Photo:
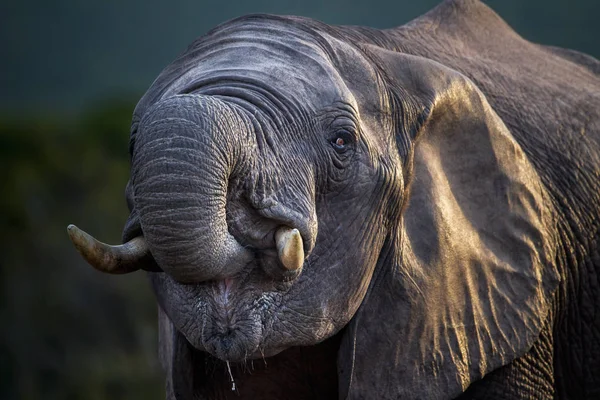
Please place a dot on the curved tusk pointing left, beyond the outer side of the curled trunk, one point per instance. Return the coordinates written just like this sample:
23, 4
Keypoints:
122, 259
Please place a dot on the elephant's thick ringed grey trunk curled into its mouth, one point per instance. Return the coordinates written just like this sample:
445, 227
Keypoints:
185, 152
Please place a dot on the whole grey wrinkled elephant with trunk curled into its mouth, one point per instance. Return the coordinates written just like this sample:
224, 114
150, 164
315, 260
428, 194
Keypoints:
348, 212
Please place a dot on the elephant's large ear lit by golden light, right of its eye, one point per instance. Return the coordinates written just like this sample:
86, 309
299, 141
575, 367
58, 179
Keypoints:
465, 282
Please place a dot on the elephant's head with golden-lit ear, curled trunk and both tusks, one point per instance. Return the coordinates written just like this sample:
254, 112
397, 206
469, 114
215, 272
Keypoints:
289, 184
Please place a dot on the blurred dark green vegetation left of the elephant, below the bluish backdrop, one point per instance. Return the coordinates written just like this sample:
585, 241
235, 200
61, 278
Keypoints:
68, 331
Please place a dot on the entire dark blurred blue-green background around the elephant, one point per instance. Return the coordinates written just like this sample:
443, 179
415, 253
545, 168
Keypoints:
71, 72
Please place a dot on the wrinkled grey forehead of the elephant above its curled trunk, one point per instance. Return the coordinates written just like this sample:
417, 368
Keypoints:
271, 56
